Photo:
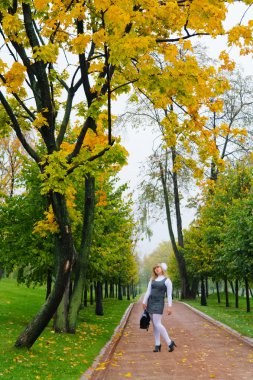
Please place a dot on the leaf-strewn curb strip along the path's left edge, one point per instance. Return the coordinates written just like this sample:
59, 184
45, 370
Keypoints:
110, 346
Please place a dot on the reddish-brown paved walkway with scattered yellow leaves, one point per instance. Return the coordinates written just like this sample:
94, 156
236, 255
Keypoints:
204, 351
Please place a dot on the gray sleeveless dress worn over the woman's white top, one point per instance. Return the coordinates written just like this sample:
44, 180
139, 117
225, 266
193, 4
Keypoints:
156, 298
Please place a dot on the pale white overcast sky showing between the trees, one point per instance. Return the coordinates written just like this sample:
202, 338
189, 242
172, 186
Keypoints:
139, 143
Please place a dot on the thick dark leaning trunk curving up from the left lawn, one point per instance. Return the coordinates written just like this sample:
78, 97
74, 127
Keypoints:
64, 260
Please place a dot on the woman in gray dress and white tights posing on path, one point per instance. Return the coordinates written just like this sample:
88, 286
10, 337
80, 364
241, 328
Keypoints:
153, 301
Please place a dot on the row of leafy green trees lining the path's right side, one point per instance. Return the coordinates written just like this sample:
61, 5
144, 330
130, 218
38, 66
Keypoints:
219, 243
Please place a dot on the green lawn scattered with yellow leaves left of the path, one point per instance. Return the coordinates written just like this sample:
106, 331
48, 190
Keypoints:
53, 356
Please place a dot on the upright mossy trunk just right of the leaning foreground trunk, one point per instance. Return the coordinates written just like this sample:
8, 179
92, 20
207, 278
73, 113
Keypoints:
82, 259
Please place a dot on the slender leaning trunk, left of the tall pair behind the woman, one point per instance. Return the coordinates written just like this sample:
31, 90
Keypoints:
185, 289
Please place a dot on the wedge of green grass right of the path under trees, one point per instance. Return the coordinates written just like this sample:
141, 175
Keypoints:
237, 319
